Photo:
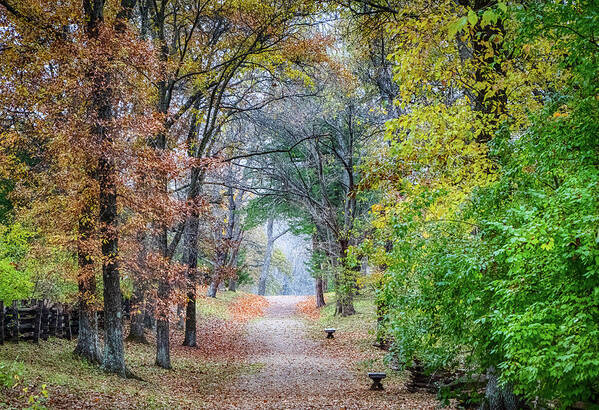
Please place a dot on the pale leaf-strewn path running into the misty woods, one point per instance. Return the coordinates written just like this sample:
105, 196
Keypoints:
296, 372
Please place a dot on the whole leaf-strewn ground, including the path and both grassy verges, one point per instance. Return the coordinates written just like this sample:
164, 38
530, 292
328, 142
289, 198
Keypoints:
250, 356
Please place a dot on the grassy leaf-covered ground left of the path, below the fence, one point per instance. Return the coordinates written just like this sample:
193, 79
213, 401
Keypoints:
197, 374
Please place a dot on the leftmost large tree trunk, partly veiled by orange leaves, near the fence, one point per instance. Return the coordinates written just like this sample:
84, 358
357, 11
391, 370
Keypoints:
87, 344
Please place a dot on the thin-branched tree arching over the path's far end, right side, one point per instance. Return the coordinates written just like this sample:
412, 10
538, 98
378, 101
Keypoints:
319, 172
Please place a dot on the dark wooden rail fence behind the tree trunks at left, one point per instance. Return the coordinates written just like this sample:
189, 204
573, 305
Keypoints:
32, 320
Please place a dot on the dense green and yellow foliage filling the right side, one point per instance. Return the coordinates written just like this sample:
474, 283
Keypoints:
495, 256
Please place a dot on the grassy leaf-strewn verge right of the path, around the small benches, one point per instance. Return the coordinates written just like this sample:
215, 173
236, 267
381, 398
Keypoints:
354, 337
